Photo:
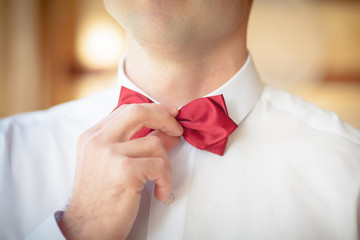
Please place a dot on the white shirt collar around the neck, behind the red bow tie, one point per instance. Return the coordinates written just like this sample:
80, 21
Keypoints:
241, 92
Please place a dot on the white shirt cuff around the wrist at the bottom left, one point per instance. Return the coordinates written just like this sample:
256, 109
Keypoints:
49, 229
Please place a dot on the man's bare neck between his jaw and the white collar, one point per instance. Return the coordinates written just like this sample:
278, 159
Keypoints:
176, 79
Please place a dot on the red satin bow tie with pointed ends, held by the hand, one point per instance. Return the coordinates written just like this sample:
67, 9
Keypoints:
205, 121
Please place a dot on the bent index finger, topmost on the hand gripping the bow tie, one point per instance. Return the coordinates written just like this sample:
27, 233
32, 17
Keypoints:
132, 118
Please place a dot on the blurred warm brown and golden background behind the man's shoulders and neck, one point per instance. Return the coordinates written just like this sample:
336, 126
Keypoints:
53, 51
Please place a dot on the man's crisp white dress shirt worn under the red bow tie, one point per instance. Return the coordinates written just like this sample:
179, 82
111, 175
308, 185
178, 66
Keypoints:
290, 170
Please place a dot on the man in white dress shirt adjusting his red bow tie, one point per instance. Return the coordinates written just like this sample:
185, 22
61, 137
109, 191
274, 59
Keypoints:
288, 170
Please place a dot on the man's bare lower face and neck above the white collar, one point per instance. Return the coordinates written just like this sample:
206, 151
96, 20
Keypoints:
182, 50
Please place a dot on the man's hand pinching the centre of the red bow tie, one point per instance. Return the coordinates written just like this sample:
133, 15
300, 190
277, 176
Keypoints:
112, 169
